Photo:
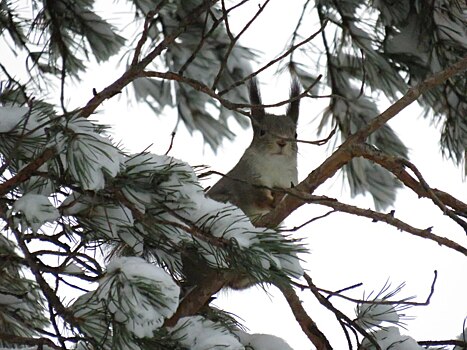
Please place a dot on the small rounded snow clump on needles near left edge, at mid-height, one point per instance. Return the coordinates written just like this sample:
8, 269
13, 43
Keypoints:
36, 209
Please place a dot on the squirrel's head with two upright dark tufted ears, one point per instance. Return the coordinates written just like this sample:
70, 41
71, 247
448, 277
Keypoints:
274, 134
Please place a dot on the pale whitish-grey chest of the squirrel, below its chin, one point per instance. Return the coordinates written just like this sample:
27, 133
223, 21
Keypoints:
276, 171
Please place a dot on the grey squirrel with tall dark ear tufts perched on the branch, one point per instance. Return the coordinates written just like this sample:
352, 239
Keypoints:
270, 160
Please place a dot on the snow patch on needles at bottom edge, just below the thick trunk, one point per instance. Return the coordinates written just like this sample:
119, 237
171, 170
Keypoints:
198, 333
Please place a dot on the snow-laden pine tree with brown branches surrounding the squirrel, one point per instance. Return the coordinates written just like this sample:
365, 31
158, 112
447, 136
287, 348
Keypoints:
117, 231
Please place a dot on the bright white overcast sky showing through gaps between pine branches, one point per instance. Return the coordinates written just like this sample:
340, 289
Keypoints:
343, 250
